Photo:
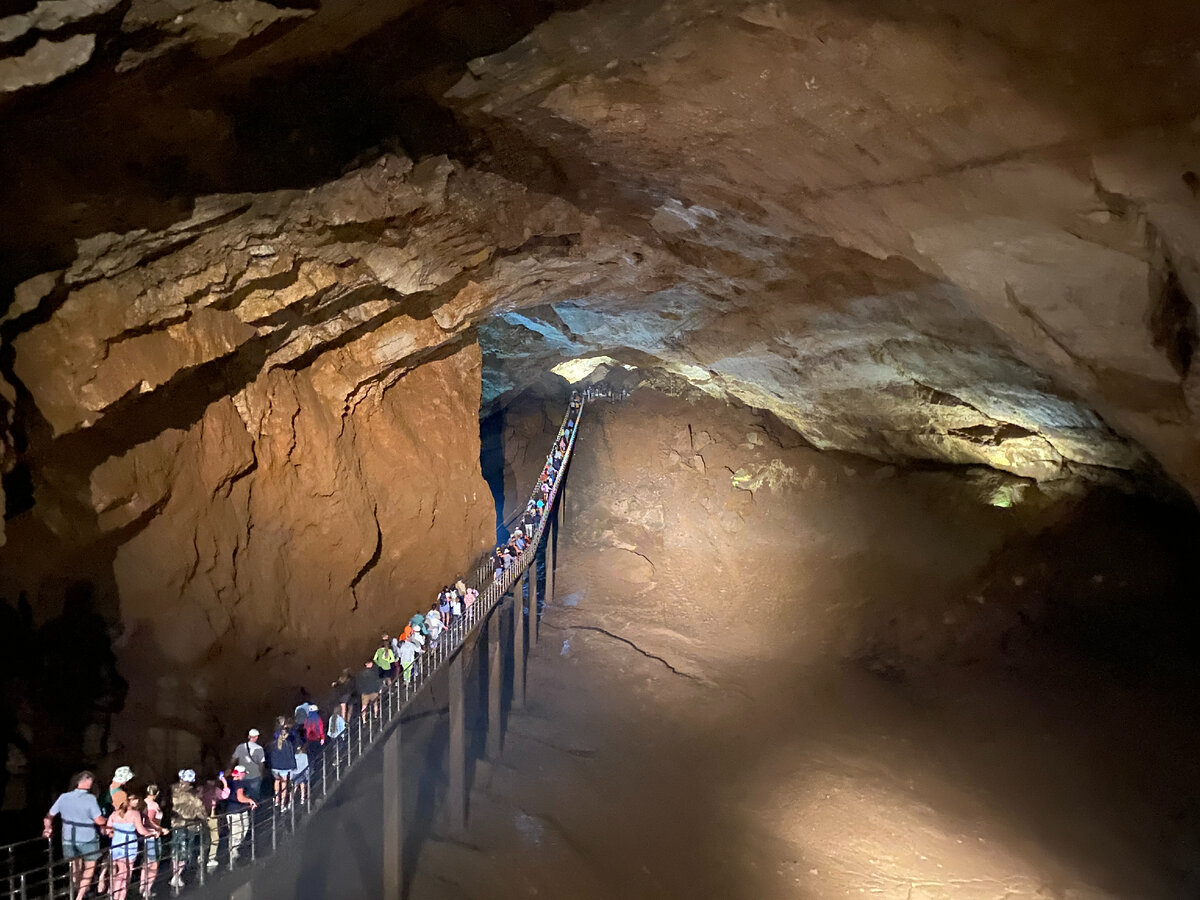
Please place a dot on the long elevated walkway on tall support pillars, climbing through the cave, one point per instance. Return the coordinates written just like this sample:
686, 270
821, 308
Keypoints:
37, 871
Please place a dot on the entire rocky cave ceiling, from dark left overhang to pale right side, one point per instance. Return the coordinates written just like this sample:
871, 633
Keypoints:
952, 231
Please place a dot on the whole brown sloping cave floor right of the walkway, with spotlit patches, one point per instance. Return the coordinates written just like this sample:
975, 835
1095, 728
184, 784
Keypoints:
839, 689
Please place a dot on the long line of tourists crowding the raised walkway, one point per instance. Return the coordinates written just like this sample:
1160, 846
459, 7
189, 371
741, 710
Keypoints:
278, 772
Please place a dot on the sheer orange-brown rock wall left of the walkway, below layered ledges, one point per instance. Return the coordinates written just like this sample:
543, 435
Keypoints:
267, 547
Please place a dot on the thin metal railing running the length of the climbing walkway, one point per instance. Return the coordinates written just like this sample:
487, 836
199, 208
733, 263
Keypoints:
191, 855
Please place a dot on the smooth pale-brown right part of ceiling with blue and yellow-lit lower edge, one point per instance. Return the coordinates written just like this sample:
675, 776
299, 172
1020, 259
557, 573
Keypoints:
946, 237
